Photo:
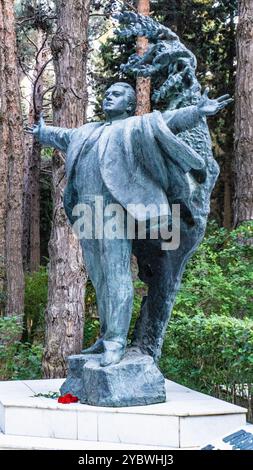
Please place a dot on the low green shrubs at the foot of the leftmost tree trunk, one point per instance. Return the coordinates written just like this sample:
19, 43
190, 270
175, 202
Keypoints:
17, 360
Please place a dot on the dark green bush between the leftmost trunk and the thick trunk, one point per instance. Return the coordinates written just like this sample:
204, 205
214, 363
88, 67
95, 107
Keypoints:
35, 305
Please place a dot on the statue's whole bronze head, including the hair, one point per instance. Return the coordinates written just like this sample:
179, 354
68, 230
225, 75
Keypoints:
119, 100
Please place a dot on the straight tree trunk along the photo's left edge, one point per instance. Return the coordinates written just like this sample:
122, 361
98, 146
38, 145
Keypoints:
11, 167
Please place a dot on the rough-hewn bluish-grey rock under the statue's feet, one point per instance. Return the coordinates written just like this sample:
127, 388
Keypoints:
136, 380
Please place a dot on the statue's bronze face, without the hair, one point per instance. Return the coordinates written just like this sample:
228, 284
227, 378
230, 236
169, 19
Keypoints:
116, 101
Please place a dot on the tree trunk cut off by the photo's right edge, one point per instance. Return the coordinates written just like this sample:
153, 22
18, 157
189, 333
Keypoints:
244, 115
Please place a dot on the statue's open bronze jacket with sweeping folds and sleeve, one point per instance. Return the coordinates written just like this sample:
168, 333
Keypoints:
151, 163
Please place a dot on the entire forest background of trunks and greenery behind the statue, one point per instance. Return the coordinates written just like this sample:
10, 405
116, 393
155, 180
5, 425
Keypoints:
58, 57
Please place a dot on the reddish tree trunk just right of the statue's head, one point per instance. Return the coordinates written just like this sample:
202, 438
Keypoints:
143, 85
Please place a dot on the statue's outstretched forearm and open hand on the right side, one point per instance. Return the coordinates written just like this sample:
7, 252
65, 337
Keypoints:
187, 118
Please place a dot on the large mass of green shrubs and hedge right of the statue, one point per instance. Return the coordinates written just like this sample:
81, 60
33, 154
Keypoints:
209, 342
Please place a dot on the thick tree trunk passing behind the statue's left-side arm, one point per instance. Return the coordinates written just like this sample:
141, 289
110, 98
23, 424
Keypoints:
67, 277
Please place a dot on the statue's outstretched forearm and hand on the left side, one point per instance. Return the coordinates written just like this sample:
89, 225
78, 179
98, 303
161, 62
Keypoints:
51, 136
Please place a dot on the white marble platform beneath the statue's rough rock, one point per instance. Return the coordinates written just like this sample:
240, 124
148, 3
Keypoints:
188, 419
